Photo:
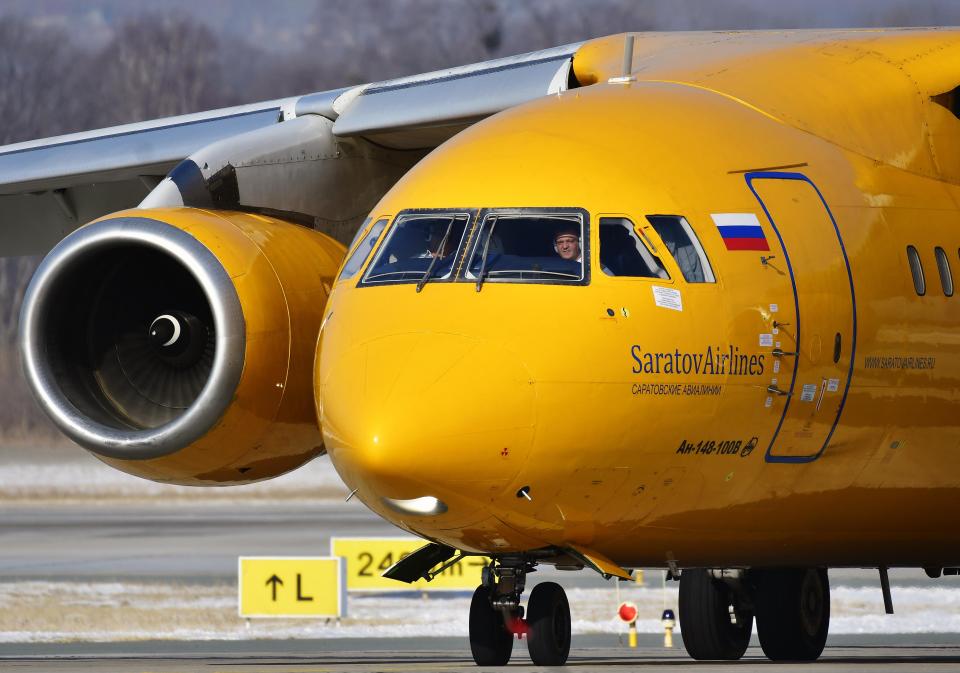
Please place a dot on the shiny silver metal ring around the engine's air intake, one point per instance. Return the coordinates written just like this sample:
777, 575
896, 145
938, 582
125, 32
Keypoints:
68, 257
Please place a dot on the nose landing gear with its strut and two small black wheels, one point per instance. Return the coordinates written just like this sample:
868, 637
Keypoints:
496, 616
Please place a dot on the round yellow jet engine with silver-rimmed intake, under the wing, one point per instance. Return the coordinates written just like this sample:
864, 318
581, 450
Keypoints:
178, 344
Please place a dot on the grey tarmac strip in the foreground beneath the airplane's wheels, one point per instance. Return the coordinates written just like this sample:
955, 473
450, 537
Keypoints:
592, 654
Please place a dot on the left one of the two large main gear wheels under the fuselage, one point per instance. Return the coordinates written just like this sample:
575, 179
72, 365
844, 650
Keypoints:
713, 624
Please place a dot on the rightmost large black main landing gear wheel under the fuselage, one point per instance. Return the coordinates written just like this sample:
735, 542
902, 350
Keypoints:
793, 612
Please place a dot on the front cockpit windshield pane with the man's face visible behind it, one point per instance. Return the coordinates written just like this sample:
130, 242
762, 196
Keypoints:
535, 247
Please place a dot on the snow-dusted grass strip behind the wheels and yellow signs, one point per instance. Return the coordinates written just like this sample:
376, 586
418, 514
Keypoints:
38, 611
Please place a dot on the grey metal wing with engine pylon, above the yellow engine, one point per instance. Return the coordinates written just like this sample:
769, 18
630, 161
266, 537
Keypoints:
360, 139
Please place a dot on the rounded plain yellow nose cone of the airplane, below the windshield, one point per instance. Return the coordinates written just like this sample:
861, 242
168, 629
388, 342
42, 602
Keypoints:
427, 415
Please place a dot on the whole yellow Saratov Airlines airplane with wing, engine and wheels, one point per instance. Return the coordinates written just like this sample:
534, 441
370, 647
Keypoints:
681, 300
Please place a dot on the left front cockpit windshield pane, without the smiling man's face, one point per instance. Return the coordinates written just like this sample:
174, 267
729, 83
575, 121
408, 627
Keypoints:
416, 244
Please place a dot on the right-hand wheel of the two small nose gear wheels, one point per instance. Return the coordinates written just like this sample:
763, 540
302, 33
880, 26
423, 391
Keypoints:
548, 619
